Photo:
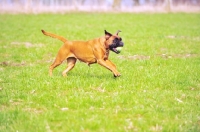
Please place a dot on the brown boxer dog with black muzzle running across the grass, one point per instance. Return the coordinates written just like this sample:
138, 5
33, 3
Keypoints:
91, 51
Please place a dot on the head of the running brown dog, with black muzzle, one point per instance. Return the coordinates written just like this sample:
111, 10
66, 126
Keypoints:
113, 41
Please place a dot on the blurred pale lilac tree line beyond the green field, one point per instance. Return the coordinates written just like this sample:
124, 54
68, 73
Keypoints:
108, 4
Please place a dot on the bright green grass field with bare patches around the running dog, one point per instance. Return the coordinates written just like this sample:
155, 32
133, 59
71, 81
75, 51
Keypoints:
159, 89
